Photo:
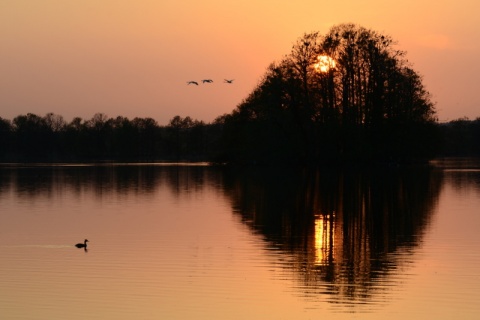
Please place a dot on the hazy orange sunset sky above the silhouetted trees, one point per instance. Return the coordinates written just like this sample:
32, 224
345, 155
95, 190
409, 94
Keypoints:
134, 57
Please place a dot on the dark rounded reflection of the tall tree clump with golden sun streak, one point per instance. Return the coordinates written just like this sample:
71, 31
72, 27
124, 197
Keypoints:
343, 232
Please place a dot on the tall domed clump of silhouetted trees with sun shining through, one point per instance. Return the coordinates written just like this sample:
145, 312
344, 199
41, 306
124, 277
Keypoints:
349, 95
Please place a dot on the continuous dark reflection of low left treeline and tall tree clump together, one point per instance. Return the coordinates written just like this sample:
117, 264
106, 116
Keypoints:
342, 234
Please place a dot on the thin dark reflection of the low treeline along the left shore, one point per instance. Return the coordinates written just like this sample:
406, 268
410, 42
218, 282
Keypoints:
139, 180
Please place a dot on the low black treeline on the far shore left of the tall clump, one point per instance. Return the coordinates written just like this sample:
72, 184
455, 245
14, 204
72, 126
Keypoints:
50, 138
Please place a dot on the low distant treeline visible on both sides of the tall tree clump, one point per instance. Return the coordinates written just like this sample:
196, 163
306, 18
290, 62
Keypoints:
50, 138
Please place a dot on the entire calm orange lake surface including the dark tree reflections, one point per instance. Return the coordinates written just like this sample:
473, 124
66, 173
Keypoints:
198, 242
